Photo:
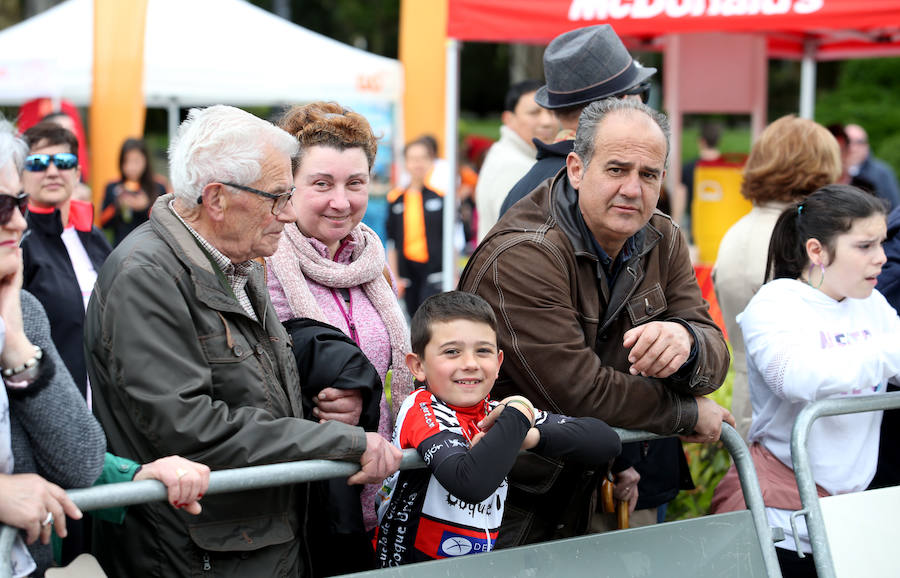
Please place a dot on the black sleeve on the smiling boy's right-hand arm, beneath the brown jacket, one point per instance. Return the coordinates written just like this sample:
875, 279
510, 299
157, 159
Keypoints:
582, 439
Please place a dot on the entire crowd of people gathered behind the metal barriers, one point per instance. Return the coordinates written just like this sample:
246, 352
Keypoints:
241, 313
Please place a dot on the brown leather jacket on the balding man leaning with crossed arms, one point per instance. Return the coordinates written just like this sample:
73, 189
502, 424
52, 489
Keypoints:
561, 326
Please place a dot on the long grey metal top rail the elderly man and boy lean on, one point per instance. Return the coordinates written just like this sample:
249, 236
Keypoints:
224, 481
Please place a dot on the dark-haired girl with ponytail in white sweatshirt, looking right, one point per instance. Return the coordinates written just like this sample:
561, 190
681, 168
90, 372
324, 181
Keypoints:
817, 330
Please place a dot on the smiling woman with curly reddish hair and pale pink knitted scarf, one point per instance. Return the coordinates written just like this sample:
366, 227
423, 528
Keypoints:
331, 268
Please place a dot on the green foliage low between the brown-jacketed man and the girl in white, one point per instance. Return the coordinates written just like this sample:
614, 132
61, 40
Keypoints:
708, 463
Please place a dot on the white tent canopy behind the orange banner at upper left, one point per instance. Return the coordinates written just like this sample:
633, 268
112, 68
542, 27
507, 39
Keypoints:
196, 52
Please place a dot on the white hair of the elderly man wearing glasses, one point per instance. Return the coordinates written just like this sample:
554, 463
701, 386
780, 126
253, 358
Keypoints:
221, 143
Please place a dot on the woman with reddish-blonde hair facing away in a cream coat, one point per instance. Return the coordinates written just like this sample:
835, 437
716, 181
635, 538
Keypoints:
792, 158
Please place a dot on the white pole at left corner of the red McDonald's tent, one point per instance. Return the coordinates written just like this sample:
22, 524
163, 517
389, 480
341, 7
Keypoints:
451, 112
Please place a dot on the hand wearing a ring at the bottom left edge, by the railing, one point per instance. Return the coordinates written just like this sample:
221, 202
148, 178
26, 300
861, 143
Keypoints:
35, 505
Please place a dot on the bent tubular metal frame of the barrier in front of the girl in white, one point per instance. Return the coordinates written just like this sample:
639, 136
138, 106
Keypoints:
812, 511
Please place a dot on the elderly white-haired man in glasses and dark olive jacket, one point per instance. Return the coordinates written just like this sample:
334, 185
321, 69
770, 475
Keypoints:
186, 355
